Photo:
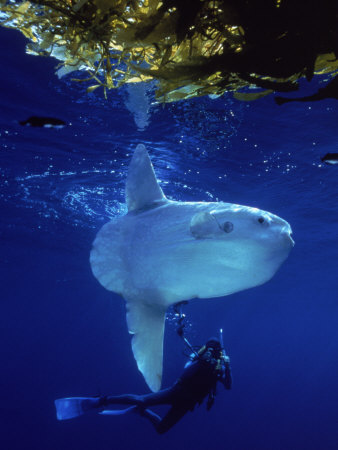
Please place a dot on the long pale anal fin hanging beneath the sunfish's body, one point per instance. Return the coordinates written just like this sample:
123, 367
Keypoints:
146, 323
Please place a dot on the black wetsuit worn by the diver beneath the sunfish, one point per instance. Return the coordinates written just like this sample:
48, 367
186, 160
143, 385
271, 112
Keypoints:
198, 380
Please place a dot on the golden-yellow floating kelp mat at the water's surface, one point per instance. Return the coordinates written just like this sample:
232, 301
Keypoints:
191, 47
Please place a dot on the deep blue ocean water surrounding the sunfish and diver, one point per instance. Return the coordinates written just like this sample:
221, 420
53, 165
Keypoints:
62, 334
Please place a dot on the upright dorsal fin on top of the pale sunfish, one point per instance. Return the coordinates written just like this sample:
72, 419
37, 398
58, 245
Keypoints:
142, 188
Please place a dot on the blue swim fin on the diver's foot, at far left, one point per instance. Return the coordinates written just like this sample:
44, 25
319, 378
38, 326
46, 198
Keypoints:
68, 408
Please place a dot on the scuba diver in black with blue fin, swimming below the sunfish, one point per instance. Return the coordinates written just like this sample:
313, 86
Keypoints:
206, 367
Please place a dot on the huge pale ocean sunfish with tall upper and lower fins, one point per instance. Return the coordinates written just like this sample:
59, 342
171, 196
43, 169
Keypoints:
163, 252
